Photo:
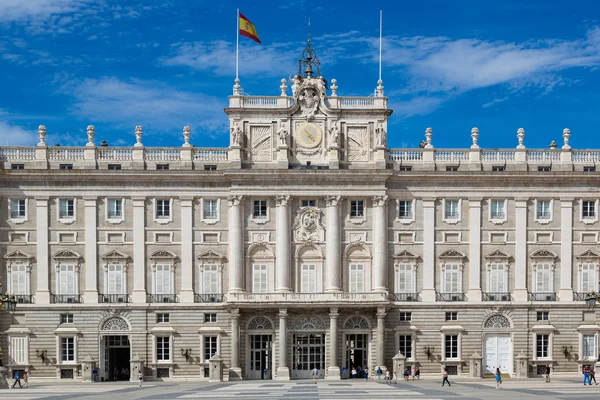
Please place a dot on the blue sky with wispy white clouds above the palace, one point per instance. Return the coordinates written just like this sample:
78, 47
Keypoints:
449, 65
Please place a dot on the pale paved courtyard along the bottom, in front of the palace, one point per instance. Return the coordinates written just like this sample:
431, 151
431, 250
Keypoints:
359, 389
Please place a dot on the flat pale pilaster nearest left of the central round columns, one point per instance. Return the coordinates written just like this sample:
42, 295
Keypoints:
186, 294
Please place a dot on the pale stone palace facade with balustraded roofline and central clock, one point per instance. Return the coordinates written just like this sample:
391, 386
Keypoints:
306, 243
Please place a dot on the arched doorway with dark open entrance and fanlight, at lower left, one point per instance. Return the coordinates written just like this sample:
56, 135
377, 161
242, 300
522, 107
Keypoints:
115, 349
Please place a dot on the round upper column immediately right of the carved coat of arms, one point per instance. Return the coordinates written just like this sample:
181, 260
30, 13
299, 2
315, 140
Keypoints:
333, 245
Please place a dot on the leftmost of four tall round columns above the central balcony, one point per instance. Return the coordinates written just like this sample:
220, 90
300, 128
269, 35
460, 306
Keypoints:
236, 244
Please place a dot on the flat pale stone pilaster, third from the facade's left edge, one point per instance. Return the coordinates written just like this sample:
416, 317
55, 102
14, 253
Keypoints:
139, 250
